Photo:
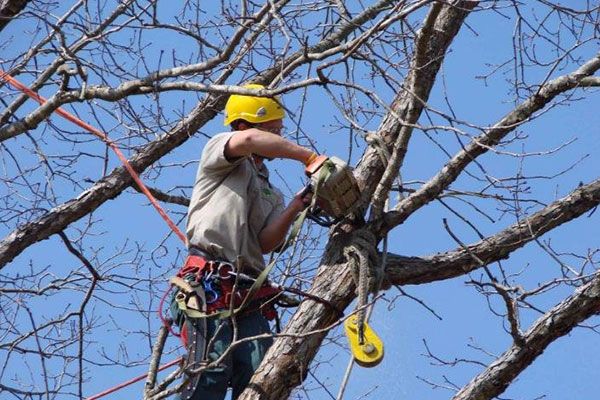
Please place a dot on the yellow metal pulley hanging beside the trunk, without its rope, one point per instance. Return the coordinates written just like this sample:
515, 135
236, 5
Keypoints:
369, 353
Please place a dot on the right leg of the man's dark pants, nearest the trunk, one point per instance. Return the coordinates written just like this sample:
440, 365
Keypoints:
247, 356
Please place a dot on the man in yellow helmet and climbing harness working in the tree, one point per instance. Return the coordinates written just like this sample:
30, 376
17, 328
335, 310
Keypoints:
235, 216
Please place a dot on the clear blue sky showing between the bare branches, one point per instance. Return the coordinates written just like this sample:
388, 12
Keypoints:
565, 370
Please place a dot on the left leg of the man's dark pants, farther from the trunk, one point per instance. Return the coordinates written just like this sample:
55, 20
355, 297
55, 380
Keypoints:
213, 382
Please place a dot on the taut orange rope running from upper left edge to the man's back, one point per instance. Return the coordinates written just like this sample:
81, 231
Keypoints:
110, 143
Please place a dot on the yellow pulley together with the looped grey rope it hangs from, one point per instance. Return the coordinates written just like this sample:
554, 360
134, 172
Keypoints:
365, 345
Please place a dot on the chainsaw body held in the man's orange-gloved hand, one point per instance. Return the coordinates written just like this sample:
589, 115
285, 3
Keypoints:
336, 188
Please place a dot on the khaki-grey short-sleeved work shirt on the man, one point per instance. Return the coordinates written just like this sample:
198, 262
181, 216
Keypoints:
231, 203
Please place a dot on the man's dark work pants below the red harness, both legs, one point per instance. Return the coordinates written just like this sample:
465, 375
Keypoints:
240, 364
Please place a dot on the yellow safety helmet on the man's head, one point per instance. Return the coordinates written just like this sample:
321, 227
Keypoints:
253, 109
